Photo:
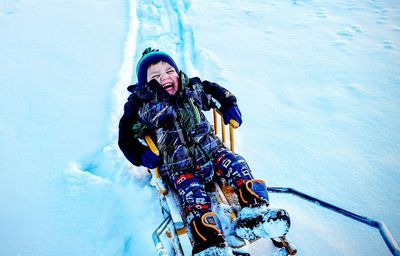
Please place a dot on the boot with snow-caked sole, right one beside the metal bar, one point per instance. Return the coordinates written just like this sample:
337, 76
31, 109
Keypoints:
256, 219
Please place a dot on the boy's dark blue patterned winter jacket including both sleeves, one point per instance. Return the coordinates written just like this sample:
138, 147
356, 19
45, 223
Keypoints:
176, 123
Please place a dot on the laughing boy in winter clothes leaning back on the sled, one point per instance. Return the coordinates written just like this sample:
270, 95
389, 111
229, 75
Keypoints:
168, 105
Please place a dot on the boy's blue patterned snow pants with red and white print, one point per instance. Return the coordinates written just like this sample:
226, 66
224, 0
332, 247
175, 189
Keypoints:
226, 167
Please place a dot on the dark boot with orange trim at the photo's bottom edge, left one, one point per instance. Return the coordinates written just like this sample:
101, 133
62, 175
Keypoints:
207, 235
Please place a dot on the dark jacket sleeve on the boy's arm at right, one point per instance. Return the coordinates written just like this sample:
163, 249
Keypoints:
224, 97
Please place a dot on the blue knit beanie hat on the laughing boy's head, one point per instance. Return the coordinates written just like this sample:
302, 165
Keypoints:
150, 56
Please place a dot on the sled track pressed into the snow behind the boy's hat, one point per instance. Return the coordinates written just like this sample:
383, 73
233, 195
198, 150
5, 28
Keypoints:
163, 25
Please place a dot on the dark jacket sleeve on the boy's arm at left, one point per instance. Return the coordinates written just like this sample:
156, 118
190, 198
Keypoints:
129, 145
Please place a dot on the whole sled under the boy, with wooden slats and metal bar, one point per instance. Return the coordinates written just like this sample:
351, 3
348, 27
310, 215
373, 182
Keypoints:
173, 236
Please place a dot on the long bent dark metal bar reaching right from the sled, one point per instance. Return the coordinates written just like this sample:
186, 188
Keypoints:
384, 231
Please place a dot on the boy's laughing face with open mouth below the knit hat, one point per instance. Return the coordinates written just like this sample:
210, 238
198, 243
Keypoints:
165, 75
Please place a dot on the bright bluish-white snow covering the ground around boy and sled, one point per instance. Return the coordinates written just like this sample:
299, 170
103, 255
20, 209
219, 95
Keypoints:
317, 83
